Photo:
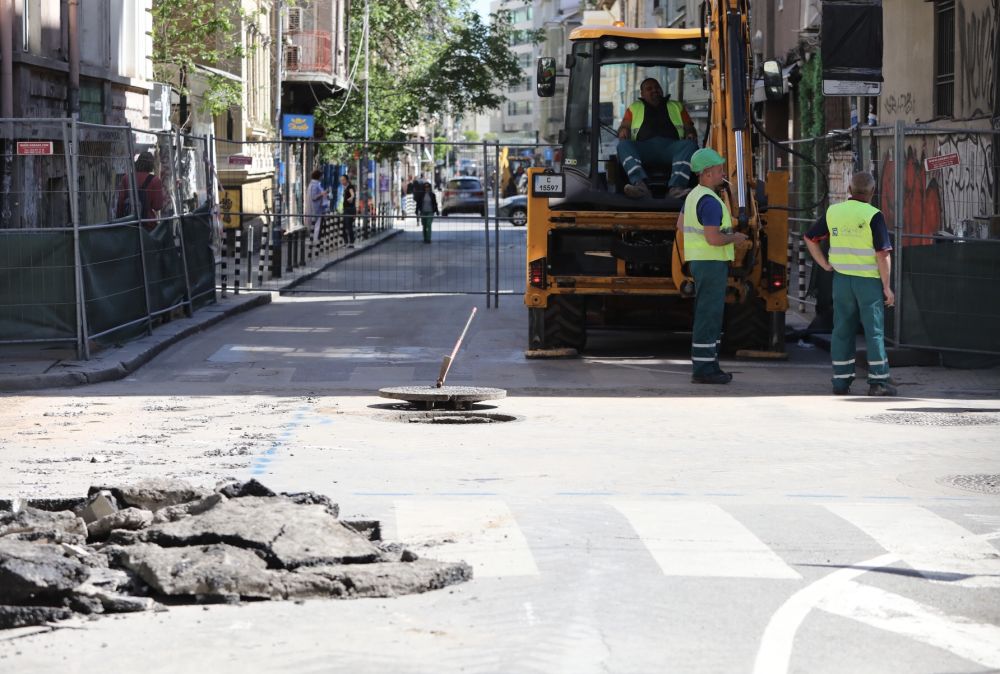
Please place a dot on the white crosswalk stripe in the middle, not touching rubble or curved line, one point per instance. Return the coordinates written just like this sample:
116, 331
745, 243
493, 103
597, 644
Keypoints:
701, 539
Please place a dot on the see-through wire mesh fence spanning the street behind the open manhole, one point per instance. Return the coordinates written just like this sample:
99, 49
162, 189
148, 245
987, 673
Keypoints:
281, 243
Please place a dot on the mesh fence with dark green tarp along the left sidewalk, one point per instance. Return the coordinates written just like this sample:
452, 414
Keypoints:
80, 264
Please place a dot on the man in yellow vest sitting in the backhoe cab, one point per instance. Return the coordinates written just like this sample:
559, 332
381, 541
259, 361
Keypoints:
656, 131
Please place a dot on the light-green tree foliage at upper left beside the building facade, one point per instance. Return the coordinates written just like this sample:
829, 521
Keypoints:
187, 33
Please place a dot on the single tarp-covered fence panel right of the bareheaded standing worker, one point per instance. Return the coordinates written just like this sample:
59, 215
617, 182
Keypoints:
942, 201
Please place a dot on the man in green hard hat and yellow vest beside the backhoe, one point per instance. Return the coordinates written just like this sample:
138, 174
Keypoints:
708, 249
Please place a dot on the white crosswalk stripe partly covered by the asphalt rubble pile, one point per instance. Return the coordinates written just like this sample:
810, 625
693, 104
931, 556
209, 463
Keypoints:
481, 532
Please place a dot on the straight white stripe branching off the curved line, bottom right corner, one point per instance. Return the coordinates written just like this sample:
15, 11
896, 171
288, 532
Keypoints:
973, 641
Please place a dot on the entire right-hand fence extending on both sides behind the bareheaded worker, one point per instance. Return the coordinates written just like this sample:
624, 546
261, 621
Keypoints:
938, 190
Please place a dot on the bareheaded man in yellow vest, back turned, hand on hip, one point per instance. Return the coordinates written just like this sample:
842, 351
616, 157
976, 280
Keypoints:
860, 261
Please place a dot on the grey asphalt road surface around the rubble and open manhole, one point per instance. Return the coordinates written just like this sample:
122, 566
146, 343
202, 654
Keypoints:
625, 520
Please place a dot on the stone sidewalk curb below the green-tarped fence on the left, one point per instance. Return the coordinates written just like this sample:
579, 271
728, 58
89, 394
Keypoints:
121, 362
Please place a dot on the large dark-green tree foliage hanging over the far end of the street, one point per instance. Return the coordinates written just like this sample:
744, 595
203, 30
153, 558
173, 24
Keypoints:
424, 63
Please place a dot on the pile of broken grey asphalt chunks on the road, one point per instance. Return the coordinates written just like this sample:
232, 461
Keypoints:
135, 548
